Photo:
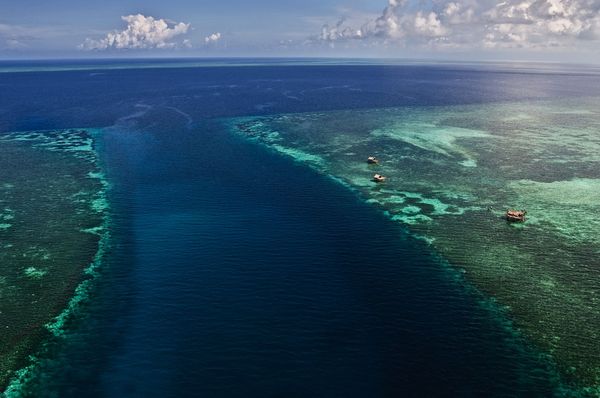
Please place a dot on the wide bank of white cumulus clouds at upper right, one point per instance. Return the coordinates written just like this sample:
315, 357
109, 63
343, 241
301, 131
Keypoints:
474, 23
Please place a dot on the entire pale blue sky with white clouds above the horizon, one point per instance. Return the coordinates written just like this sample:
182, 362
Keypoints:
537, 30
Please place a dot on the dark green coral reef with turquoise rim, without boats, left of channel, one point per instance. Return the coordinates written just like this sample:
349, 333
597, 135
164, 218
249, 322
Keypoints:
54, 197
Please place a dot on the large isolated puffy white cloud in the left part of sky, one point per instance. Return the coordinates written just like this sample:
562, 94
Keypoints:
142, 32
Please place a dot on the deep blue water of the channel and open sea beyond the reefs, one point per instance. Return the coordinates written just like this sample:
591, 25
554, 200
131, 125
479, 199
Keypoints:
235, 272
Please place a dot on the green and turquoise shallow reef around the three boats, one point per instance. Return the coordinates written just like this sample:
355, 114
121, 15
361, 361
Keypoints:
452, 172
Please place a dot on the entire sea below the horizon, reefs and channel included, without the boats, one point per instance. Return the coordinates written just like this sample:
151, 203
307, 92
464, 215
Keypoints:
215, 232
